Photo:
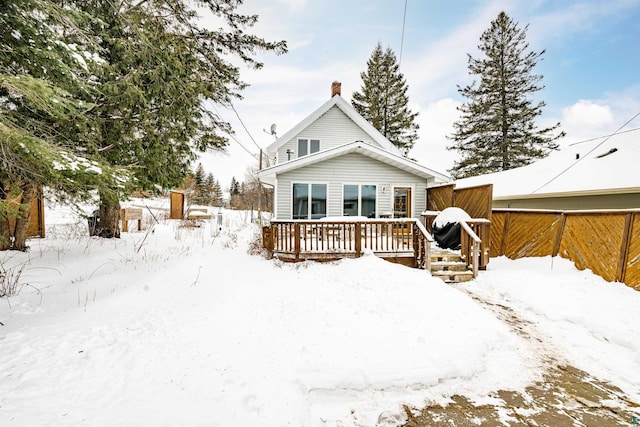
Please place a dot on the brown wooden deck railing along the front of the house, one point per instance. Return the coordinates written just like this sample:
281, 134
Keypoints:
325, 239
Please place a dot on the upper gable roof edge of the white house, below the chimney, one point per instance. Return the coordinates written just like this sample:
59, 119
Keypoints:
349, 111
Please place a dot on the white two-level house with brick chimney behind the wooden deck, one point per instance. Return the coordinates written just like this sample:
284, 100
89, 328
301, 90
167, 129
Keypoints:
334, 163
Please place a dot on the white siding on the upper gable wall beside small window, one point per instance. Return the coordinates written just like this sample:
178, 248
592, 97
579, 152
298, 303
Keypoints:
333, 129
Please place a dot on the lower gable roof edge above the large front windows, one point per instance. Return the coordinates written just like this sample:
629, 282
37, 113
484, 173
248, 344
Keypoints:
268, 175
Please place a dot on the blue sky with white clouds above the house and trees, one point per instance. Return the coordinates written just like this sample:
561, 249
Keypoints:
591, 67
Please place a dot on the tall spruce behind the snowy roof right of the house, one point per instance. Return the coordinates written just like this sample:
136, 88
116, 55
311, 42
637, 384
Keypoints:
497, 129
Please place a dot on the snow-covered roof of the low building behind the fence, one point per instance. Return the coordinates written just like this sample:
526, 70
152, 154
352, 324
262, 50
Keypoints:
603, 165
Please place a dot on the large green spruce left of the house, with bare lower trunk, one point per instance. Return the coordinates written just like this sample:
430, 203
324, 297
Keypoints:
160, 69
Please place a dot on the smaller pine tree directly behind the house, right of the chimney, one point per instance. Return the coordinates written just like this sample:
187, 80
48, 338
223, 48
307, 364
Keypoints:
383, 100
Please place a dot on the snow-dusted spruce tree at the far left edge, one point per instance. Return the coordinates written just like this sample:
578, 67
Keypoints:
44, 76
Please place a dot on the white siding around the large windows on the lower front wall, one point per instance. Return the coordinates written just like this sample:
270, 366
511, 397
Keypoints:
351, 169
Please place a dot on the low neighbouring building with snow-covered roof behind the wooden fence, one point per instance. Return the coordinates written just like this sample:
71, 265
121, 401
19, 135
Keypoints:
601, 173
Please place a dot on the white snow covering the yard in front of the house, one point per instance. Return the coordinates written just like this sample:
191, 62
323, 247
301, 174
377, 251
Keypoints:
182, 326
